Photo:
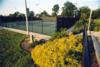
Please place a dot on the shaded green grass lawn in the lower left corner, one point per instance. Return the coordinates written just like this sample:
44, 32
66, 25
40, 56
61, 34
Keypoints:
11, 55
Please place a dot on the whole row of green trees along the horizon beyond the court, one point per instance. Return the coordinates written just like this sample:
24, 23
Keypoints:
68, 9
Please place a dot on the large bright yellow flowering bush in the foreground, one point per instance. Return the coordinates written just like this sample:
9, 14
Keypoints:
61, 52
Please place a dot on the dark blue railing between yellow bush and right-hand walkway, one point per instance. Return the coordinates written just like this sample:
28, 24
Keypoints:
86, 53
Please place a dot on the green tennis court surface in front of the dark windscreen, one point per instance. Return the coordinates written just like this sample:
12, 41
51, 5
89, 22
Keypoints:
42, 27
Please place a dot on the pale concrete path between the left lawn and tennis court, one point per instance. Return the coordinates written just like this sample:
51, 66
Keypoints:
37, 36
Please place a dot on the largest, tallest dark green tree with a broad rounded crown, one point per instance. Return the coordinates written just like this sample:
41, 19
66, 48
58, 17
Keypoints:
68, 9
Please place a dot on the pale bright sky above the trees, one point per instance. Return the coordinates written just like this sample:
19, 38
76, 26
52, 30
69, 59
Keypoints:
10, 6
